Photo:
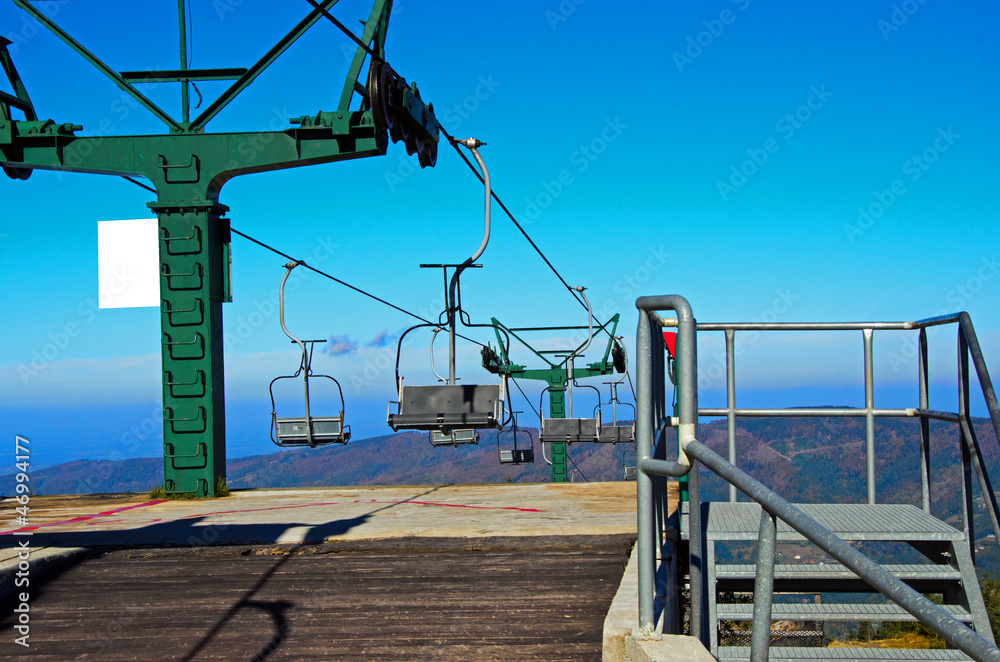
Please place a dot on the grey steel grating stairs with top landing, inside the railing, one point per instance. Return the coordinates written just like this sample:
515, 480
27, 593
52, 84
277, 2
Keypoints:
947, 569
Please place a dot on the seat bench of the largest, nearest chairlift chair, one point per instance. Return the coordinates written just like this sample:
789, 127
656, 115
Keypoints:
447, 408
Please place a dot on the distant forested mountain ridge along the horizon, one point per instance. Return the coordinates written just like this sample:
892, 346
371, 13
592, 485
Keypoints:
803, 459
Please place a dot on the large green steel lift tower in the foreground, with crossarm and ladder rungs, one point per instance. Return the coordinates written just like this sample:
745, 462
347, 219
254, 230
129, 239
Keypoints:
188, 166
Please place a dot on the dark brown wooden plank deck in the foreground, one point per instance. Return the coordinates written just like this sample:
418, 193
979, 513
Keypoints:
531, 598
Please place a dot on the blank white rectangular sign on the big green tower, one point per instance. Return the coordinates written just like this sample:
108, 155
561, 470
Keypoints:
128, 259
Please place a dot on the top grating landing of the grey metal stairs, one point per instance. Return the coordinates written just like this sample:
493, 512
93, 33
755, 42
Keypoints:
854, 521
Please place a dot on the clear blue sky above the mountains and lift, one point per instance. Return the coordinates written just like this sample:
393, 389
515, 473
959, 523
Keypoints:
801, 161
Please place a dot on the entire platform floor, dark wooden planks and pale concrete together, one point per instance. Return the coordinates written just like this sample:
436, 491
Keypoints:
461, 572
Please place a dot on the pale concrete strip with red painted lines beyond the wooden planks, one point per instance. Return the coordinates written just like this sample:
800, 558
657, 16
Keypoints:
292, 516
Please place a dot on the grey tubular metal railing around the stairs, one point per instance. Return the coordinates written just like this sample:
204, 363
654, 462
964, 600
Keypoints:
652, 422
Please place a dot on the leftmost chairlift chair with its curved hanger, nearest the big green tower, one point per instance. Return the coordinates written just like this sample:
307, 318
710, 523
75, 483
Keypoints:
307, 430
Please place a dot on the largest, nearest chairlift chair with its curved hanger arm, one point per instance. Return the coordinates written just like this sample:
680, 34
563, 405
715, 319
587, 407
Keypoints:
452, 413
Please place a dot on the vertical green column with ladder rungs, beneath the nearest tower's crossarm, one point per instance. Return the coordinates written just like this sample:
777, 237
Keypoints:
194, 282
